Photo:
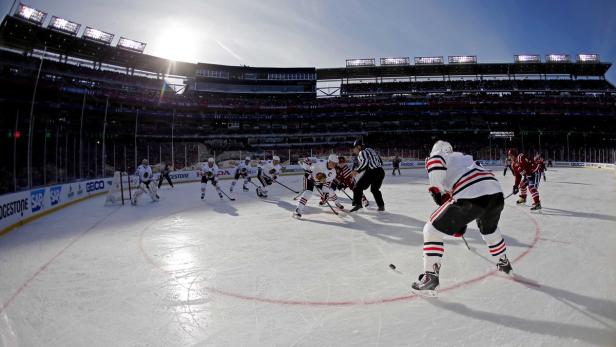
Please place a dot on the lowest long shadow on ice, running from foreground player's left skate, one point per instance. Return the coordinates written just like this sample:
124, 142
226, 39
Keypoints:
595, 336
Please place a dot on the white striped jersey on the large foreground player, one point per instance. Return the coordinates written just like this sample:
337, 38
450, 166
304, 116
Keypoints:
461, 176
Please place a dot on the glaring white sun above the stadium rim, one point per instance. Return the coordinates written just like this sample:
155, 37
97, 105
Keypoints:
175, 41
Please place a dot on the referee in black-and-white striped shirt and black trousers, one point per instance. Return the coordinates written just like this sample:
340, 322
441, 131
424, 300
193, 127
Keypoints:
371, 165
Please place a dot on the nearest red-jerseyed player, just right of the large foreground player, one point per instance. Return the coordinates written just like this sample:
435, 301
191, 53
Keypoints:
527, 178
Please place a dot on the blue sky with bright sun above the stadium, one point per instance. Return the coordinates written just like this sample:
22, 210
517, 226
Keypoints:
323, 33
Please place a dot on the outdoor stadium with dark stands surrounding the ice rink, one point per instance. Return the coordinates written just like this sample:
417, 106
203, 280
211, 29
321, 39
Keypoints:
83, 110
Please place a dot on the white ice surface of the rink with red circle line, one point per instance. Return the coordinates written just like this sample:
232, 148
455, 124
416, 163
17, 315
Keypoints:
218, 273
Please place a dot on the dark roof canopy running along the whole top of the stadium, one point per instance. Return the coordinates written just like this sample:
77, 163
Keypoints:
19, 34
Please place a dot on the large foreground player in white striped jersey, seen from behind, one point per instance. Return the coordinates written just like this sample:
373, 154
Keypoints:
464, 191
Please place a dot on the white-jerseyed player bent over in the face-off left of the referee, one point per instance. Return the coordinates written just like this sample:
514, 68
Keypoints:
320, 176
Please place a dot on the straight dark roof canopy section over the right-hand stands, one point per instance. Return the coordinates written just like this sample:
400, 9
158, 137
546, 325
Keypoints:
574, 69
